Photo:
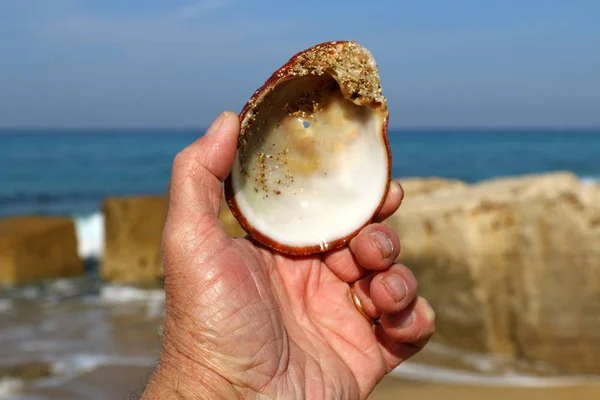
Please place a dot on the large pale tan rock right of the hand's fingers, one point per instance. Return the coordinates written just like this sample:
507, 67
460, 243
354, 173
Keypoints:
511, 266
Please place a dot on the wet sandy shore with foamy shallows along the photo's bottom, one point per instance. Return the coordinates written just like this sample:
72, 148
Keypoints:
103, 346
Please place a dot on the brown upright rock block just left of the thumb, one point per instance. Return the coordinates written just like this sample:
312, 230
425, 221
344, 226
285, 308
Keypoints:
133, 233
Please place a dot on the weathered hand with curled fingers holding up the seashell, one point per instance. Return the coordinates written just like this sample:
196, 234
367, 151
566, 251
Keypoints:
243, 321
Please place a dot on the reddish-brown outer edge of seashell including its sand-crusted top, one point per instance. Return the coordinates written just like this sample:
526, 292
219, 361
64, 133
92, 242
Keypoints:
316, 61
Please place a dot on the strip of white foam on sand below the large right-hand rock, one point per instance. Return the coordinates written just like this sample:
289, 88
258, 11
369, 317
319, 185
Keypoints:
429, 373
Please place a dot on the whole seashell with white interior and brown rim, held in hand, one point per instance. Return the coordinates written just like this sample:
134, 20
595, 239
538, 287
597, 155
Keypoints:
313, 163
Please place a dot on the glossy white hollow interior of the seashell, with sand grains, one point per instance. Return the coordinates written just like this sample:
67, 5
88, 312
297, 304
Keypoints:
315, 167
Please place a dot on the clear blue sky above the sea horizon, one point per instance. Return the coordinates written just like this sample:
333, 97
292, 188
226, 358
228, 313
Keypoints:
150, 63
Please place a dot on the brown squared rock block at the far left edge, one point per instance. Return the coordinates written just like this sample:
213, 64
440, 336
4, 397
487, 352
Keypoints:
34, 248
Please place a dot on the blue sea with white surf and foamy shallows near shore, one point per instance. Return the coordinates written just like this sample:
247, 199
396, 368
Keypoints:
70, 328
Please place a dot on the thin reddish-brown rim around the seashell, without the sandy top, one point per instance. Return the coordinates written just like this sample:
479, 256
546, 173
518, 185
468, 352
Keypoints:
276, 78
